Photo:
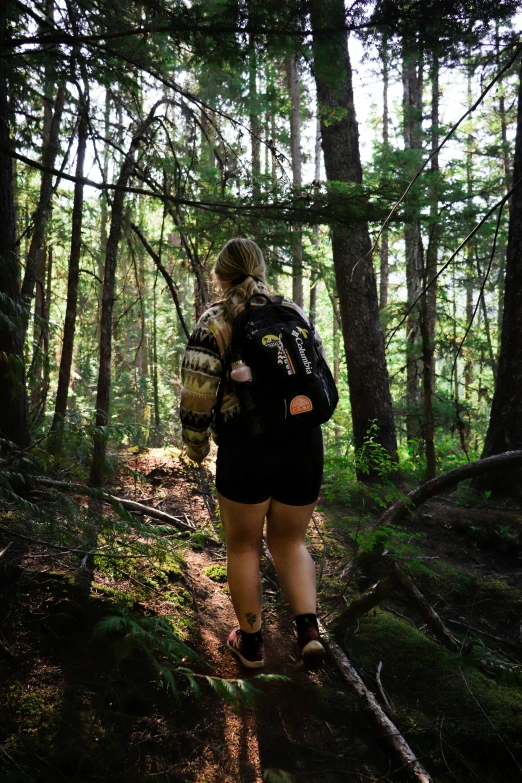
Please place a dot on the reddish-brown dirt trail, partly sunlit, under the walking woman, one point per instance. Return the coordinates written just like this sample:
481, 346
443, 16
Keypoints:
296, 727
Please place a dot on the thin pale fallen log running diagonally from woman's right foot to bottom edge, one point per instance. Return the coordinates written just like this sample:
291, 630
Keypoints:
391, 733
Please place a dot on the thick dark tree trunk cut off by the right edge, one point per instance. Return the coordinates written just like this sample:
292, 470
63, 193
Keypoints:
505, 425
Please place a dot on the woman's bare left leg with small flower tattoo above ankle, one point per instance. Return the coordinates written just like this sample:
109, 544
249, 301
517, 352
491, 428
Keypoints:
243, 525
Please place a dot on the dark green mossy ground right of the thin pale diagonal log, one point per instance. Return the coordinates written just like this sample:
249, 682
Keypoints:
440, 697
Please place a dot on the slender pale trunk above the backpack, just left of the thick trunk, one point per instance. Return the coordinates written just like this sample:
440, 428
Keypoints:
294, 86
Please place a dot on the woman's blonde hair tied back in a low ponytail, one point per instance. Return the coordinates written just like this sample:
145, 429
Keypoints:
241, 266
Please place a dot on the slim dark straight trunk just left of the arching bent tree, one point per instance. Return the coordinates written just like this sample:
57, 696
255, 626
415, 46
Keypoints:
64, 374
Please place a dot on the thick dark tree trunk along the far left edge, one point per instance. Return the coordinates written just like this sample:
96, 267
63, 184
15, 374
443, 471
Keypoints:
14, 424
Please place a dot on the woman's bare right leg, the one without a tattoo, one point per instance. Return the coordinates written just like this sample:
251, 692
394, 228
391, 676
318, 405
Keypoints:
286, 529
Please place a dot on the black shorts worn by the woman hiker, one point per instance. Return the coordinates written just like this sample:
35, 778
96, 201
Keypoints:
288, 469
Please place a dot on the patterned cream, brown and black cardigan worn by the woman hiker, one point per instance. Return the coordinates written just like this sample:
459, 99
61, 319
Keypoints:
201, 374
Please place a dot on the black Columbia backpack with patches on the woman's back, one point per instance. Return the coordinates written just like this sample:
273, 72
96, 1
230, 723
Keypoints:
292, 388
